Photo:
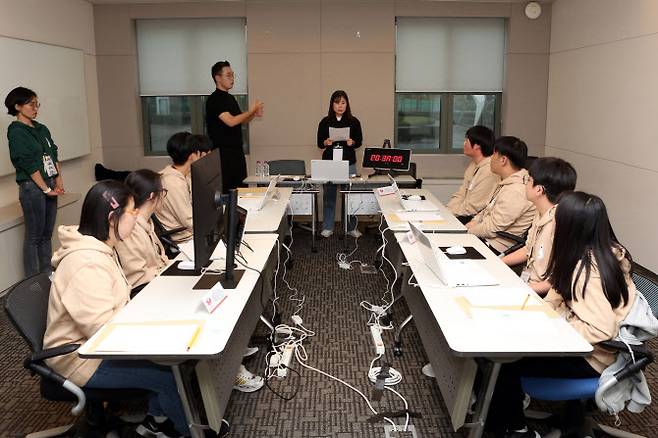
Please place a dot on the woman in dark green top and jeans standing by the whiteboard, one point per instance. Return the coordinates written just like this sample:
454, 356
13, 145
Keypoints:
34, 155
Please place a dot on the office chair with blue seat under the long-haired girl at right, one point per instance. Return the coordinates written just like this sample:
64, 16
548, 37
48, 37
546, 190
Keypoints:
578, 391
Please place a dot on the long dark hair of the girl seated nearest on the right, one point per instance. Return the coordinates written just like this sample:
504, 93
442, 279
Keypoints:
584, 236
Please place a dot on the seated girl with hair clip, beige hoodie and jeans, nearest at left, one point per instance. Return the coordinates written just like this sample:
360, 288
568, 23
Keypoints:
88, 289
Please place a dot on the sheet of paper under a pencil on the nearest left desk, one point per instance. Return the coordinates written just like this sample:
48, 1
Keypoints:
157, 337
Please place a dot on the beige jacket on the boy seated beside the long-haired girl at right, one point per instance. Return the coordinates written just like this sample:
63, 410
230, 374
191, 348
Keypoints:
539, 244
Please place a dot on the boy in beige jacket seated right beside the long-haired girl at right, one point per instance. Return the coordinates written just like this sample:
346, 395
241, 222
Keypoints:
547, 179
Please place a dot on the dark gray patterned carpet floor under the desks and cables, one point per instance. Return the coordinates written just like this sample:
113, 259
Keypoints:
321, 407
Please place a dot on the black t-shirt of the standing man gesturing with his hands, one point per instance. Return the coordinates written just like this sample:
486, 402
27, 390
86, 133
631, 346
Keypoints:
222, 135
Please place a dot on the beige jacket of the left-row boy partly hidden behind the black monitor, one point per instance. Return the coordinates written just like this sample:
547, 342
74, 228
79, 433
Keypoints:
175, 211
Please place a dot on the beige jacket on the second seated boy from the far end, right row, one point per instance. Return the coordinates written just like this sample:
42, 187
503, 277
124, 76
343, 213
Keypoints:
508, 210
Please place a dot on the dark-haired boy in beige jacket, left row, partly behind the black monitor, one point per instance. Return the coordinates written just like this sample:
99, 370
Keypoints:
175, 211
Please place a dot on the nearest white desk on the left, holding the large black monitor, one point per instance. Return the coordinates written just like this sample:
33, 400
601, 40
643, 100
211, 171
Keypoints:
222, 339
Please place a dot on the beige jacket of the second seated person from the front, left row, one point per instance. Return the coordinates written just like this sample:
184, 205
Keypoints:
141, 255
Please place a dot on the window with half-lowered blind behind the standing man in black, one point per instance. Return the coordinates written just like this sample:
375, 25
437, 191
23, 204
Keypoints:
185, 49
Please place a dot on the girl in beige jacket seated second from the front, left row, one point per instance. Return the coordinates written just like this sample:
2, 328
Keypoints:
141, 254
